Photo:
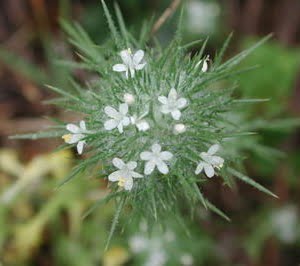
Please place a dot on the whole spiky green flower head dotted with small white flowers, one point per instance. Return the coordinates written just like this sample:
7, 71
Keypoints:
158, 122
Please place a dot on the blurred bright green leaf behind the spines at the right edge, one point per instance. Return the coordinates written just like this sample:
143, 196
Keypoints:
275, 77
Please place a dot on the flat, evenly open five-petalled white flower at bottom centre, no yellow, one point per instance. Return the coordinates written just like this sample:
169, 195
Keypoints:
156, 158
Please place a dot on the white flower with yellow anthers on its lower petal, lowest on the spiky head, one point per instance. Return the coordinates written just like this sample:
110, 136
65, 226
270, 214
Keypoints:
125, 174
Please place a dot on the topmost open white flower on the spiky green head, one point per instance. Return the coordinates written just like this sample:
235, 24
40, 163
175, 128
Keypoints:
131, 62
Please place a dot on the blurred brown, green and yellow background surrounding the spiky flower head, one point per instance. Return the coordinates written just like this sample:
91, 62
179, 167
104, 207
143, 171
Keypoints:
43, 226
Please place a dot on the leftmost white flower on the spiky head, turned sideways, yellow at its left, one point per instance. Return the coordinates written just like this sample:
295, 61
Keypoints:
76, 136
